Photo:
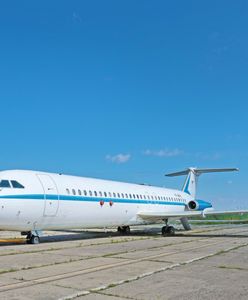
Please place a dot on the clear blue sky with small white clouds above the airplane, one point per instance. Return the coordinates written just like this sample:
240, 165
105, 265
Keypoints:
127, 90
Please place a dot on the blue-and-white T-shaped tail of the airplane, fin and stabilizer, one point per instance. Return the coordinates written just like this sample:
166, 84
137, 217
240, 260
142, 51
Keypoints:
190, 184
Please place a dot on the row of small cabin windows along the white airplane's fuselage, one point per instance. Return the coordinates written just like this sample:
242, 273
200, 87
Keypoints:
121, 195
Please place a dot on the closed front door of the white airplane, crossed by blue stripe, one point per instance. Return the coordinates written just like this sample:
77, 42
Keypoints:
50, 195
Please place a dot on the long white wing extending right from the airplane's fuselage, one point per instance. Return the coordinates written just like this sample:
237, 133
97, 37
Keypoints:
155, 215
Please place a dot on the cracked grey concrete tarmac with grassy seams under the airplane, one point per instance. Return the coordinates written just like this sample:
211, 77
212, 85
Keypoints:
209, 262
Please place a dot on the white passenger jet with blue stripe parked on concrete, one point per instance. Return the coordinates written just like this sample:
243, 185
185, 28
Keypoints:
33, 201
